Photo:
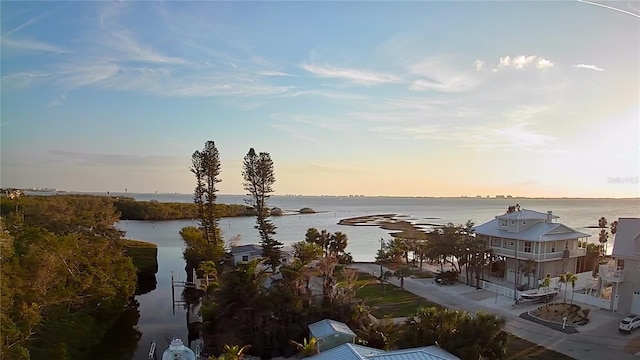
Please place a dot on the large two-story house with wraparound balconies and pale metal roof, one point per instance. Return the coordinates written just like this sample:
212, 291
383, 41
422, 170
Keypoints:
531, 235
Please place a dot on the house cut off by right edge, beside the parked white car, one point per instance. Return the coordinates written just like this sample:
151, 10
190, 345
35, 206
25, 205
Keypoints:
624, 269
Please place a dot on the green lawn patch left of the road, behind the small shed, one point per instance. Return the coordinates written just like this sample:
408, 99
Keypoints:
389, 301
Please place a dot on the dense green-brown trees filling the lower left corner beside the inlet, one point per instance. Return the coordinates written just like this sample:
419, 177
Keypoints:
65, 278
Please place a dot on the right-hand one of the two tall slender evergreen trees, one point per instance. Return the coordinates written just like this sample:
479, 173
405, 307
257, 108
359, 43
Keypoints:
259, 177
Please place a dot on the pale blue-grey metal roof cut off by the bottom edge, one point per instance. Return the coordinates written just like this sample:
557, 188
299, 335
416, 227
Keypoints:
350, 351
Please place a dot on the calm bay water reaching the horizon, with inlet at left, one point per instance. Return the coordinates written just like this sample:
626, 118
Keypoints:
156, 317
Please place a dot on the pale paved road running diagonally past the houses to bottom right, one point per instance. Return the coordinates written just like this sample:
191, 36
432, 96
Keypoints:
595, 341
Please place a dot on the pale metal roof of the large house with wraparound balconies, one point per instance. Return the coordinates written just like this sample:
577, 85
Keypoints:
539, 232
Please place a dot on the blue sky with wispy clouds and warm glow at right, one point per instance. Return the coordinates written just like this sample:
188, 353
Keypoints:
428, 98
